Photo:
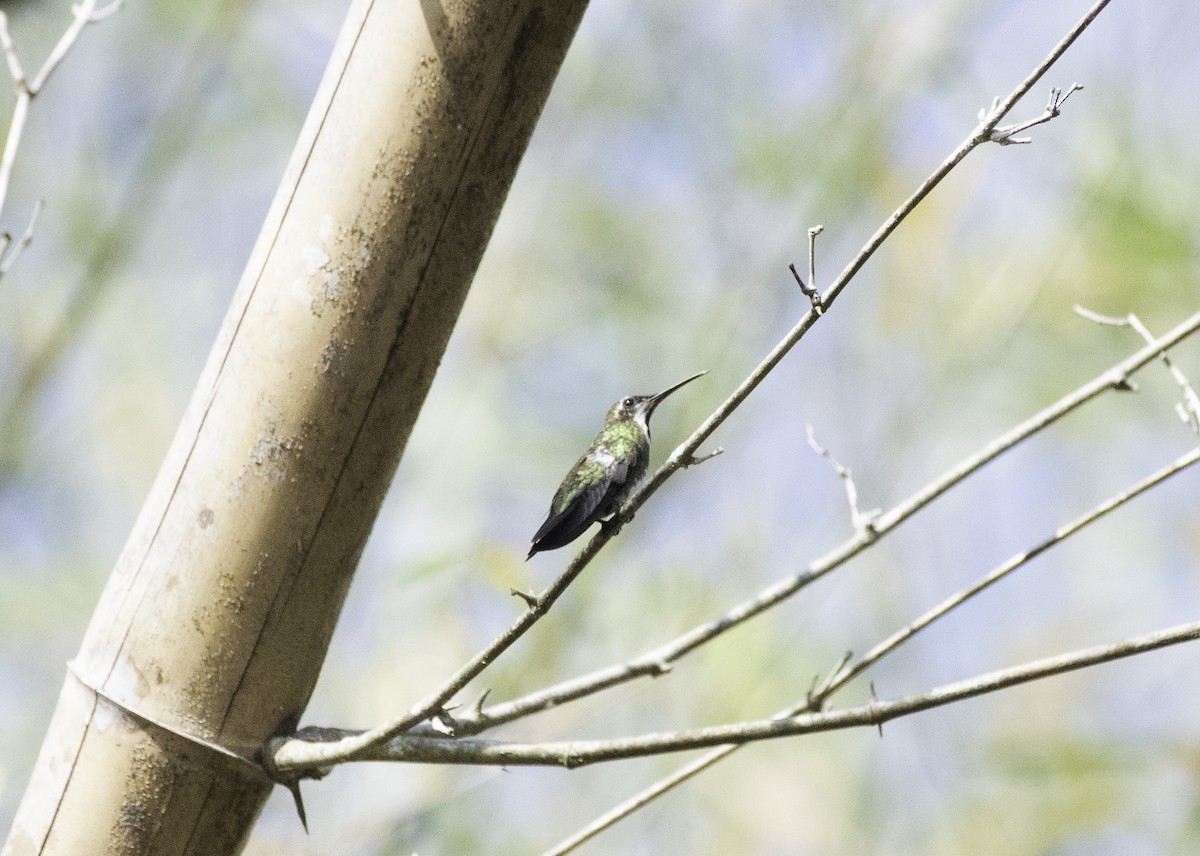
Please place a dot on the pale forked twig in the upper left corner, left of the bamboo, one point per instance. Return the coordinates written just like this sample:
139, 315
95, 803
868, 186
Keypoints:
86, 13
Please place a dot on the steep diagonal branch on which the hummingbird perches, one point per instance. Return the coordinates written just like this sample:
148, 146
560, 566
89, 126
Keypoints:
309, 755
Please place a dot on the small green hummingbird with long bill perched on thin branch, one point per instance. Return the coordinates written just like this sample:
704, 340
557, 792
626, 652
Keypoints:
608, 474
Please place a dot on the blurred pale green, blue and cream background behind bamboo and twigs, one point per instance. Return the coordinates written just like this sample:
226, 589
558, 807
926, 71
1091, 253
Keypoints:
685, 153
